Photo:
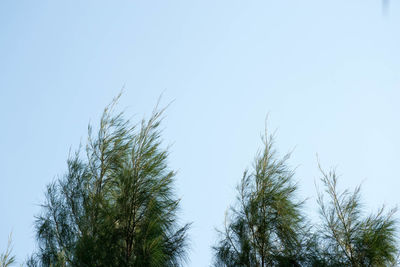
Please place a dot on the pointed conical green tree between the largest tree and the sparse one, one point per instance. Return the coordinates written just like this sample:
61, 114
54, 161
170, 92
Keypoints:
266, 227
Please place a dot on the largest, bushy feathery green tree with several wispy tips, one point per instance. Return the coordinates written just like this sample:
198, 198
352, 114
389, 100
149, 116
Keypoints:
115, 207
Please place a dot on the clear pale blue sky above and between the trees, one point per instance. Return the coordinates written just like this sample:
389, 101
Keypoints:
327, 73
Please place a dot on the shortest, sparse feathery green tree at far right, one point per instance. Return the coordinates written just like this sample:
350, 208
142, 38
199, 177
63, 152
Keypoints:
349, 238
